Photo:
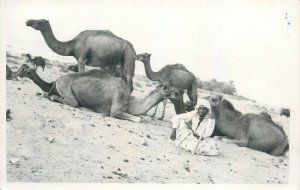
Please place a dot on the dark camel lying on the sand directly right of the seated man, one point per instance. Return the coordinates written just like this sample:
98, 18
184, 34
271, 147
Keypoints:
255, 131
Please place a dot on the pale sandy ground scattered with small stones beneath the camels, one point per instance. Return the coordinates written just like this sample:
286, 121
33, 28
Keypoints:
51, 142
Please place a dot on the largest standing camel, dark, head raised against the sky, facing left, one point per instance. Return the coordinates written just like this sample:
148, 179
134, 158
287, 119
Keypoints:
98, 48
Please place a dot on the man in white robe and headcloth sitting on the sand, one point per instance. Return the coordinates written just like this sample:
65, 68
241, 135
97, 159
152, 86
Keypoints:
192, 130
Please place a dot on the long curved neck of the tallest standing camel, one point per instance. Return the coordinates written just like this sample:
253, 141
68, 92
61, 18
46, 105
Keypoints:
61, 48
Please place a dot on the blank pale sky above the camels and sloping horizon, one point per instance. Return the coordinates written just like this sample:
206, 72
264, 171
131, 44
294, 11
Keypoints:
254, 43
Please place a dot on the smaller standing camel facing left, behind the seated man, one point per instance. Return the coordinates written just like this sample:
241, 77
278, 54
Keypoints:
175, 75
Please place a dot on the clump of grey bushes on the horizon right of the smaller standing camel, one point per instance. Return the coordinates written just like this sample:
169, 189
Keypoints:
216, 86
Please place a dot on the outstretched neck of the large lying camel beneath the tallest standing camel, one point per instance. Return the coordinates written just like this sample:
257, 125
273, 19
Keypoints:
139, 107
